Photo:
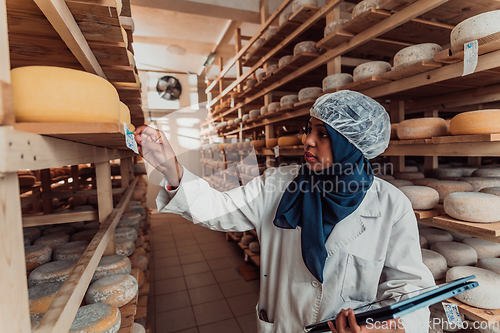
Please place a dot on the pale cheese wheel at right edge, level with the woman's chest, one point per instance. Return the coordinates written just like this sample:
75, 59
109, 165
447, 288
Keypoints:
473, 207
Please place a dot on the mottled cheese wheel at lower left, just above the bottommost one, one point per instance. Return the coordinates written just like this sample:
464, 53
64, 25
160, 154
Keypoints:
115, 290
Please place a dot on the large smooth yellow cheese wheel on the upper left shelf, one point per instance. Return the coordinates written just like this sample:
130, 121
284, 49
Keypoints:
62, 95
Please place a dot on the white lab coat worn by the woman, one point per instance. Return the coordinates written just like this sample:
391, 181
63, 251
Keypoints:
374, 253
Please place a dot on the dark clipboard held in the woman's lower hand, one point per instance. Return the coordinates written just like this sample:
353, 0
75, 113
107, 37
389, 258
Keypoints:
408, 305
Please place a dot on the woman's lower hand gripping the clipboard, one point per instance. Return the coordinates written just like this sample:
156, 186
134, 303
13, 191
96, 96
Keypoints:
347, 316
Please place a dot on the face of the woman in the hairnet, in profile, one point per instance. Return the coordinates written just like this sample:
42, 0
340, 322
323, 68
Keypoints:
317, 149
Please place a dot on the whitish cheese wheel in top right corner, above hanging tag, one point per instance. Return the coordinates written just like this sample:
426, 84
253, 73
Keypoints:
474, 28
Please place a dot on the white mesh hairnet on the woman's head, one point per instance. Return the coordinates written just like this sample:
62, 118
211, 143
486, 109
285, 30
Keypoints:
360, 119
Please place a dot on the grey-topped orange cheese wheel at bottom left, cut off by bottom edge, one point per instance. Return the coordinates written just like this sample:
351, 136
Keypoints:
96, 318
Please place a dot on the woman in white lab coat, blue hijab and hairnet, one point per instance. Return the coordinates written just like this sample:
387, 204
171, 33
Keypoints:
332, 235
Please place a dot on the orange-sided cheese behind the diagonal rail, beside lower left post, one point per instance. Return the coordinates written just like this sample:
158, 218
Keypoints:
40, 298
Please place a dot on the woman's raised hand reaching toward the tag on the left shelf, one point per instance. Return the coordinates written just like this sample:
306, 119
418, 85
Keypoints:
156, 150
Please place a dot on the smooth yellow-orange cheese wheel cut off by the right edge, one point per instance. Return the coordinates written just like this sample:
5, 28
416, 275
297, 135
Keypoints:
476, 122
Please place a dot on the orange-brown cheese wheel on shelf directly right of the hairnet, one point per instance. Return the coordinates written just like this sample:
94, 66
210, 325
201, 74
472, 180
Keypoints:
421, 128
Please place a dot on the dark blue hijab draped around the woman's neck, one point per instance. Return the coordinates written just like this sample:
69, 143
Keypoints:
317, 201
